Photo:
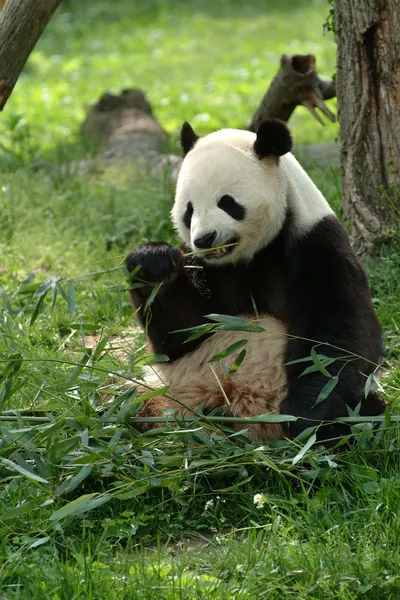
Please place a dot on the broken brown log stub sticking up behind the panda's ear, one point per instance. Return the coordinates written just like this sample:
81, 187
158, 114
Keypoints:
295, 83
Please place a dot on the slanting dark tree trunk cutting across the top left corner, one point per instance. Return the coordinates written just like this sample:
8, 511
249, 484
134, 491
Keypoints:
21, 24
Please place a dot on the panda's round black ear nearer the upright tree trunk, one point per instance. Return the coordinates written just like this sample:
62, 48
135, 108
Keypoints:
273, 139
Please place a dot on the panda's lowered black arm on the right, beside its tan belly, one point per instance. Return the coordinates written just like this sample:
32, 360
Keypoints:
329, 301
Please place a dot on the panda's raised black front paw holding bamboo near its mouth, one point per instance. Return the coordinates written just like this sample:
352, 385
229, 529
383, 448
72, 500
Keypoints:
155, 262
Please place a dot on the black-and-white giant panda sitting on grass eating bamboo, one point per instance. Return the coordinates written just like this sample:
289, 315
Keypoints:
260, 241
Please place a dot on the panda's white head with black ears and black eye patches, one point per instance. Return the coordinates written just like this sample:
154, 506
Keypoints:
231, 191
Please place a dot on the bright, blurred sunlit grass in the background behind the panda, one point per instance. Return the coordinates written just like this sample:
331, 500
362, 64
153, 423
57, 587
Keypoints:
207, 62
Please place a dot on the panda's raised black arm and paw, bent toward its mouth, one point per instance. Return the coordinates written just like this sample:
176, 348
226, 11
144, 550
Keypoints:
177, 303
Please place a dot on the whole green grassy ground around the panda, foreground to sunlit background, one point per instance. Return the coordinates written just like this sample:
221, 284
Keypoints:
88, 507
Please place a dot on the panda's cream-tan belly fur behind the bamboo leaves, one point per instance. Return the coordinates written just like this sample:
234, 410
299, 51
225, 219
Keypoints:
258, 386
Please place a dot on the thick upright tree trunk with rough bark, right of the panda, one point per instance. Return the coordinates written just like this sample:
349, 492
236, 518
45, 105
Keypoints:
368, 90
